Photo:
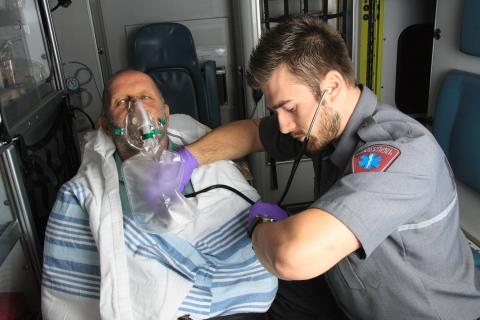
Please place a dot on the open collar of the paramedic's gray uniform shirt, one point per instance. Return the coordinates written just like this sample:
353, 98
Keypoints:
345, 145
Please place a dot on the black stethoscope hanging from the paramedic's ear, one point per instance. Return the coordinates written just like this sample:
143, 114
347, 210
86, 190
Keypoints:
295, 164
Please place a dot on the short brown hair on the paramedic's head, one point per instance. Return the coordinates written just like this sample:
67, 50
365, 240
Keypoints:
309, 48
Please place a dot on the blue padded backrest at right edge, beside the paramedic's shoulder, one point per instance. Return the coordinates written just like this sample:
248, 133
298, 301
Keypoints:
457, 125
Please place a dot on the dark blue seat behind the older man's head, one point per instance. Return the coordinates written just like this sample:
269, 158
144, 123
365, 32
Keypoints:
167, 53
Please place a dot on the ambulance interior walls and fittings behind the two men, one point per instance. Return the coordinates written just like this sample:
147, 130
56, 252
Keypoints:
56, 57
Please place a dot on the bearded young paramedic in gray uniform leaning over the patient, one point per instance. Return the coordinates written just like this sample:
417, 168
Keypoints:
384, 227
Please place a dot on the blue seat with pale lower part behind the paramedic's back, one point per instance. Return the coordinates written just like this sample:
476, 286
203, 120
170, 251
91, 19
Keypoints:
456, 126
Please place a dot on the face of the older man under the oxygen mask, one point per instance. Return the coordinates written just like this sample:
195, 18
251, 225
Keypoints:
125, 86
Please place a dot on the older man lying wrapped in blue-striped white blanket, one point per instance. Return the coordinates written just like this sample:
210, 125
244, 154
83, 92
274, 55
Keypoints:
99, 263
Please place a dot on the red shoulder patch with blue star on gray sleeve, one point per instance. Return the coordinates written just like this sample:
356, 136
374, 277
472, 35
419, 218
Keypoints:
375, 158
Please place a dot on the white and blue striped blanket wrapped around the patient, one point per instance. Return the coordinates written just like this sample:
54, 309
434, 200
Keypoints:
208, 269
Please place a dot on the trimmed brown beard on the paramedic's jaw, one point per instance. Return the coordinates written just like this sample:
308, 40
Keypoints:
324, 131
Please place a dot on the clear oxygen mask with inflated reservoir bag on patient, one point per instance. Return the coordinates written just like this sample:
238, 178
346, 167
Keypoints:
152, 177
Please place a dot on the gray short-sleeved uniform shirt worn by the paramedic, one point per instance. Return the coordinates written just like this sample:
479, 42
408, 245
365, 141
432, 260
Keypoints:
389, 182
